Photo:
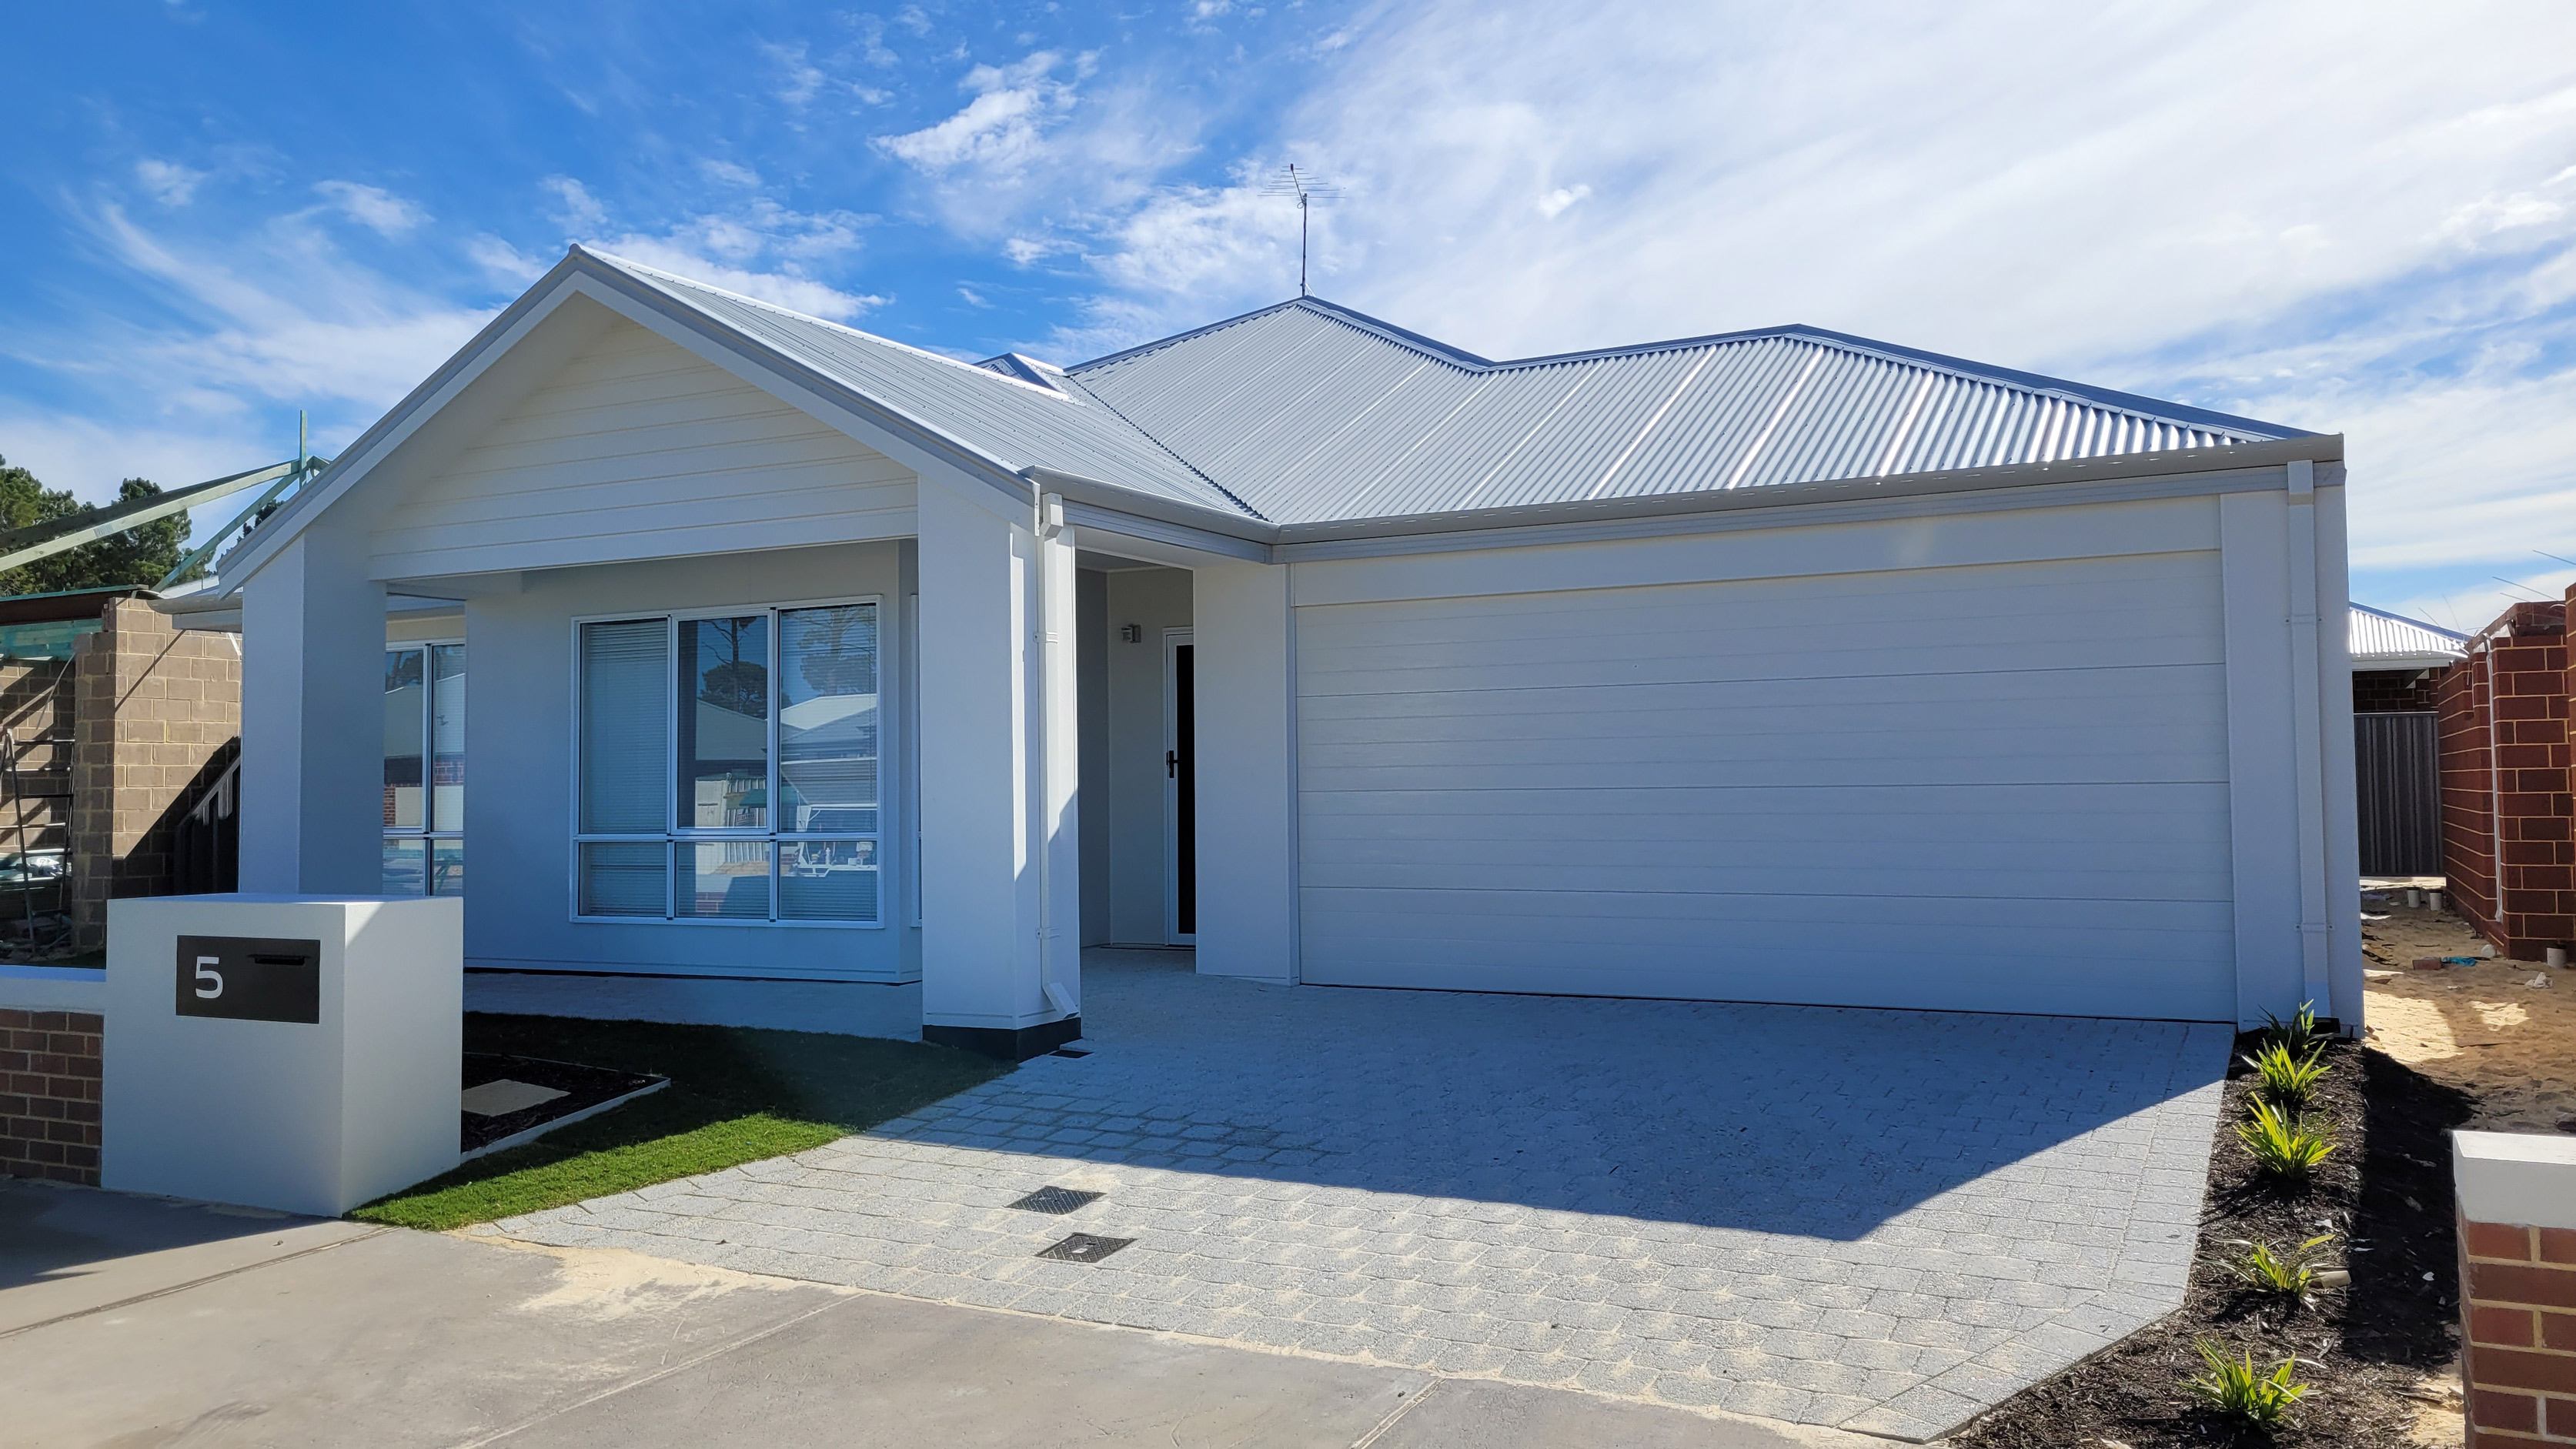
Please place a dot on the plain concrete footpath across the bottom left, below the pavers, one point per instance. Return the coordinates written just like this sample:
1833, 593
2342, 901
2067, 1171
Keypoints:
135, 1324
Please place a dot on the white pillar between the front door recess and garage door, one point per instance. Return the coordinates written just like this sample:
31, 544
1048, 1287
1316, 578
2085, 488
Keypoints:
1245, 660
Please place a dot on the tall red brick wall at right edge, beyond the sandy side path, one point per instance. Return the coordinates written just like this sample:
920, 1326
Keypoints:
2508, 784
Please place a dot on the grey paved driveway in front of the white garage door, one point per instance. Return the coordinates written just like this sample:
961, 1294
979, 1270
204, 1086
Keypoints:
1869, 1219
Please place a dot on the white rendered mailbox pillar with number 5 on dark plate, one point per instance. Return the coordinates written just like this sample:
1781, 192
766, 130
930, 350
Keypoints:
282, 1051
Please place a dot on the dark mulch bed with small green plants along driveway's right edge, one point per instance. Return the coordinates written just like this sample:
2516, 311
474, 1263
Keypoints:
2363, 1350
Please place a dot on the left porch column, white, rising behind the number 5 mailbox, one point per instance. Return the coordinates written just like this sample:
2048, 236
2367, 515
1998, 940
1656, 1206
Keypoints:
313, 722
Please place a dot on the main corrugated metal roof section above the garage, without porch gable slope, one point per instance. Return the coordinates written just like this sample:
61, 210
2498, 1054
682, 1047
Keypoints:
1312, 413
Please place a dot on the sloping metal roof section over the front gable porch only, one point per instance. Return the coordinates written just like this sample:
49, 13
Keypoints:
1016, 421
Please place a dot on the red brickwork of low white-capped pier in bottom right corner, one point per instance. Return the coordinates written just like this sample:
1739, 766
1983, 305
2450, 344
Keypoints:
2518, 1332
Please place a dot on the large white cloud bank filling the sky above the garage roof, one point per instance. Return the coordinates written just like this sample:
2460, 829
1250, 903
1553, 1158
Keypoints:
2345, 217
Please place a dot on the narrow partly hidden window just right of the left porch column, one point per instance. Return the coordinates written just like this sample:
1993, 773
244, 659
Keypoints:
426, 771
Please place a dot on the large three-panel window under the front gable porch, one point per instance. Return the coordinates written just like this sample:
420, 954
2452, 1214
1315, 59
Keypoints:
730, 768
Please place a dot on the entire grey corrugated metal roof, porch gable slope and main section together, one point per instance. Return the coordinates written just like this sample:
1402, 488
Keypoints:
1310, 413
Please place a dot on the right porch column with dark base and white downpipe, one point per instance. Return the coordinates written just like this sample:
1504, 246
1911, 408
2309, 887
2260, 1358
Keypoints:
998, 755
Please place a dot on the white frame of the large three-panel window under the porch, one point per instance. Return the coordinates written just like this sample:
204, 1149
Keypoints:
674, 833
